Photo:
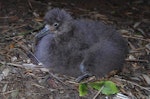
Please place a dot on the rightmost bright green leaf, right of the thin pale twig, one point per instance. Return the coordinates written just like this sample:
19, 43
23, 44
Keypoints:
109, 88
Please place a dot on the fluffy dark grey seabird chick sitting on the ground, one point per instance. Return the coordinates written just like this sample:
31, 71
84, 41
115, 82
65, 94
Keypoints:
79, 48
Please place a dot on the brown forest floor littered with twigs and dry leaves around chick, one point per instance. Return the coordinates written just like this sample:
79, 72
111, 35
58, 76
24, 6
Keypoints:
20, 20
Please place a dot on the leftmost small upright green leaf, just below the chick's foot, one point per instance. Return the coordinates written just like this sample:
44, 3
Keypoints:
83, 89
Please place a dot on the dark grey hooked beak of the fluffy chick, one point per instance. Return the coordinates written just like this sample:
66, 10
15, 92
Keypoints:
43, 32
